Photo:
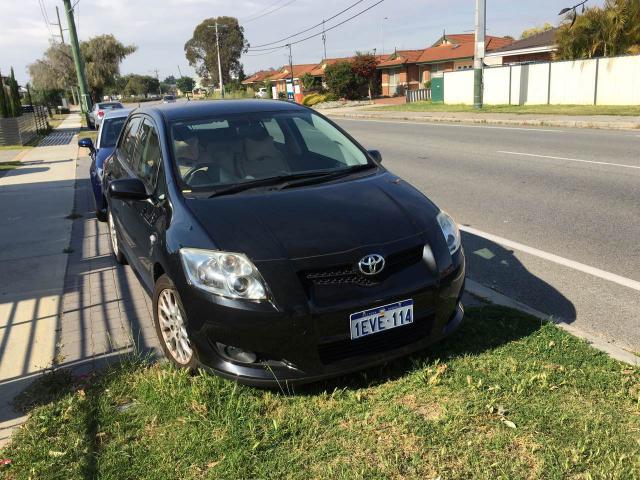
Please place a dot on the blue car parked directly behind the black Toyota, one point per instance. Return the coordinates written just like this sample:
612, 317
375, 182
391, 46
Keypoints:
105, 144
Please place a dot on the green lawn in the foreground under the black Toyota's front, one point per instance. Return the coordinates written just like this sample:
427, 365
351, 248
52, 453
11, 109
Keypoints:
505, 397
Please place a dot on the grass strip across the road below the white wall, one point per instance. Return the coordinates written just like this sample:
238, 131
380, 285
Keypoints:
524, 109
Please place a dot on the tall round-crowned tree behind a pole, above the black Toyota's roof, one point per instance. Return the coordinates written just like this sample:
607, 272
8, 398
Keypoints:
201, 52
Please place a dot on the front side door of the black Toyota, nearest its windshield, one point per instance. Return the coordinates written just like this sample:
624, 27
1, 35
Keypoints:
147, 212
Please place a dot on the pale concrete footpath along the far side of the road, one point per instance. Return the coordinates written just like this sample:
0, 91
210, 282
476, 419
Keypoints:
372, 112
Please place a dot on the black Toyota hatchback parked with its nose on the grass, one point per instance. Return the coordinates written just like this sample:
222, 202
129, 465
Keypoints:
277, 249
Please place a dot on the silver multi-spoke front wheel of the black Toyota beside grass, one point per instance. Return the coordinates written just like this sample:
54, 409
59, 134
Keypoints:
170, 321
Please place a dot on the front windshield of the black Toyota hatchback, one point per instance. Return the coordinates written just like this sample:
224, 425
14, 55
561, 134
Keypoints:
234, 149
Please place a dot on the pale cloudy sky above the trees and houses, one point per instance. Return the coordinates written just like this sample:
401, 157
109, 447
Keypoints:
160, 28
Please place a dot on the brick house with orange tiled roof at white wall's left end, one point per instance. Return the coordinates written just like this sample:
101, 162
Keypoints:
409, 69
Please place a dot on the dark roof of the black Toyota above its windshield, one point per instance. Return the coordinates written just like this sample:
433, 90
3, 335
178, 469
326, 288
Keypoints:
207, 108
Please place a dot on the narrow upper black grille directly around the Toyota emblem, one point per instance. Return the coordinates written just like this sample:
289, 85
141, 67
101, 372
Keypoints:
350, 274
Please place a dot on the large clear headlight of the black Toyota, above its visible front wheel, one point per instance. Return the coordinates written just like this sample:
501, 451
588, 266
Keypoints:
226, 274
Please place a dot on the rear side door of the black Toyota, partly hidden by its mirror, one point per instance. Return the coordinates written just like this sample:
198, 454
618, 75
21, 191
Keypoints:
122, 166
